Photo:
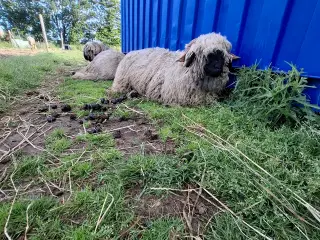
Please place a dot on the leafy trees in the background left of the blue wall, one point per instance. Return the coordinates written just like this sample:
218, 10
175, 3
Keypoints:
75, 19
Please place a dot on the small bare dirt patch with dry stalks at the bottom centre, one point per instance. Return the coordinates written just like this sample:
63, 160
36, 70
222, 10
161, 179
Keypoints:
194, 206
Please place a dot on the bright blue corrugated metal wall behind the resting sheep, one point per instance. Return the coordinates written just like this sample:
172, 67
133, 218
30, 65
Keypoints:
268, 31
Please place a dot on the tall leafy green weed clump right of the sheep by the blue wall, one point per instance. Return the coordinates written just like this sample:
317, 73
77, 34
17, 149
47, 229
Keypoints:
274, 98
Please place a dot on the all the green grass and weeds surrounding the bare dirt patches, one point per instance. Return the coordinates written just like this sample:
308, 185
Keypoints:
253, 156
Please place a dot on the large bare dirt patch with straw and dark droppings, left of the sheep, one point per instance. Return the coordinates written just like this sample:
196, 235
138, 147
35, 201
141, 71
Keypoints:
36, 114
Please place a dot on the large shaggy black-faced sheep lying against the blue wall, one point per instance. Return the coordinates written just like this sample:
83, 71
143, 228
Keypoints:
193, 77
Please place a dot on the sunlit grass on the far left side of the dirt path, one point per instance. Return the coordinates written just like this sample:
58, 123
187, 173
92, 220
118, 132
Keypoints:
20, 73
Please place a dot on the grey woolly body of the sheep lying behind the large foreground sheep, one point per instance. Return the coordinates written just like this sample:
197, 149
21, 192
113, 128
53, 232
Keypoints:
103, 66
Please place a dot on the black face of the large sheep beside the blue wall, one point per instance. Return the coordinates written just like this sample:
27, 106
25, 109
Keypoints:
214, 65
